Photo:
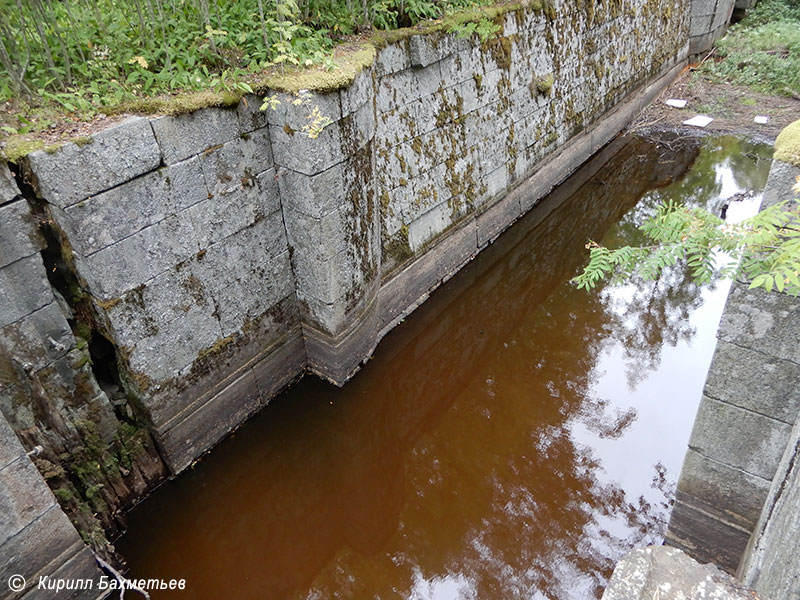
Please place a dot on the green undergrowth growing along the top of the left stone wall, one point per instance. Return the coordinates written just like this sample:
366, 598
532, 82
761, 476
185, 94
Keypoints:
85, 57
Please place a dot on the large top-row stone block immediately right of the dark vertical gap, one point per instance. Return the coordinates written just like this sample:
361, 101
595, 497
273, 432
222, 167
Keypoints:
114, 156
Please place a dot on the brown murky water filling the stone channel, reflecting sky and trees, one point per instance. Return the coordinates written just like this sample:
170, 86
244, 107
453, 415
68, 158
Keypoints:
512, 439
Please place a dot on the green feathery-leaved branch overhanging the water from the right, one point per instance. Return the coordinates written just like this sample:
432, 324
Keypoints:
765, 249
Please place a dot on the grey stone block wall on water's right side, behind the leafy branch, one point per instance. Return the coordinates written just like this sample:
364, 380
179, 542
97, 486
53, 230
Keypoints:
750, 402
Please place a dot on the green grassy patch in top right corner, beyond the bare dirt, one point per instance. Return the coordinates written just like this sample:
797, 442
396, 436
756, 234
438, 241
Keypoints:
763, 51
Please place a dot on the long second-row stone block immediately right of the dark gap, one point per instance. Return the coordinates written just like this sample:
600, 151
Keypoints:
112, 216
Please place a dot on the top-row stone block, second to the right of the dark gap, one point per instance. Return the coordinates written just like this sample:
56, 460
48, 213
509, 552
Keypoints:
183, 136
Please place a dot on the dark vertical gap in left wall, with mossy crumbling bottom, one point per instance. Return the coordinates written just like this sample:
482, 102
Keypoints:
103, 473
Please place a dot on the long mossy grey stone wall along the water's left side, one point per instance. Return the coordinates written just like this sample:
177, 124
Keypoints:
208, 259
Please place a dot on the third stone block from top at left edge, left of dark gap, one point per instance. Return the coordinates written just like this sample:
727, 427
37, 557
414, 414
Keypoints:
23, 289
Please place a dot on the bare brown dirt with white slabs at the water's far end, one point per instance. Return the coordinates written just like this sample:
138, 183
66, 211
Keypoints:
732, 107
